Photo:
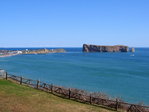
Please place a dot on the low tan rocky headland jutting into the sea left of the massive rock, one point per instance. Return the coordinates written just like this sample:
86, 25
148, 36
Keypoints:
43, 51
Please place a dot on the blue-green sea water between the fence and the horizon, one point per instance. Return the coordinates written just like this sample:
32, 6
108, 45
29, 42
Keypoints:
123, 75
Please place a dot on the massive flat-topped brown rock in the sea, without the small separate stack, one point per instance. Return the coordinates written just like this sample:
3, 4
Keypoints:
98, 48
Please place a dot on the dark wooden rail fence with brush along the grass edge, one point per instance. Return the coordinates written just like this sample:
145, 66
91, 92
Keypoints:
79, 95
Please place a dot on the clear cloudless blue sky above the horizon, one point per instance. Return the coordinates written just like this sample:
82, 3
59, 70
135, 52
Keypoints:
71, 23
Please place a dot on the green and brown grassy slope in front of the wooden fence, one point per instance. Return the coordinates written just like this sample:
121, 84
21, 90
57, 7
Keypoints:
18, 98
